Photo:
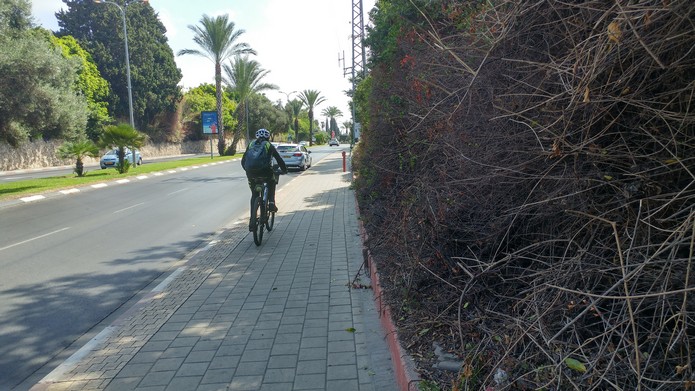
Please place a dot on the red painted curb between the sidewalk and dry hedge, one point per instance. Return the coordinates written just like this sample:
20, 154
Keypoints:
404, 367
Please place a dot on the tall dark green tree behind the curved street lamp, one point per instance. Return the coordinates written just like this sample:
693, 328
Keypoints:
154, 75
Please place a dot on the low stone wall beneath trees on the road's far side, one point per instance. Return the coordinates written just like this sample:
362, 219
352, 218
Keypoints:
42, 154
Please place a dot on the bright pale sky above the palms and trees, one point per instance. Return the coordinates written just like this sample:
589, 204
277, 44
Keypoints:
298, 41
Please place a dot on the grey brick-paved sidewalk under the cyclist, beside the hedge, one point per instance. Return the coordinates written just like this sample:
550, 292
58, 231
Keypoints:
280, 316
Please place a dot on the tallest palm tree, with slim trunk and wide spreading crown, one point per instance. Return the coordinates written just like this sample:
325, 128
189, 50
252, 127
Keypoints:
217, 39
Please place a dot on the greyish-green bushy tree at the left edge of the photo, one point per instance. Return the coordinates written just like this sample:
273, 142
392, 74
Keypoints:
37, 96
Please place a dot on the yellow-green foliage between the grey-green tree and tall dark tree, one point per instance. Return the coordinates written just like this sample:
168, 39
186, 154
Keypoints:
89, 83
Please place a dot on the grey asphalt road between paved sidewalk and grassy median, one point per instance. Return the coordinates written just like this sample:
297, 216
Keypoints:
69, 263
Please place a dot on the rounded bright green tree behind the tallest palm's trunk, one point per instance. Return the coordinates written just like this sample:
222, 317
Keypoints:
199, 99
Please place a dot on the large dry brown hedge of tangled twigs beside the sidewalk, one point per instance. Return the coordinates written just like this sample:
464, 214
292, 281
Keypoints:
528, 184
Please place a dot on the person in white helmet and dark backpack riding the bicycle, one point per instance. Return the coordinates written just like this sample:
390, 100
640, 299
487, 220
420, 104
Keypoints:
257, 162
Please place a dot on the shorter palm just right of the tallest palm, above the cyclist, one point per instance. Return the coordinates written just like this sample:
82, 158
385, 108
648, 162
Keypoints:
244, 77
